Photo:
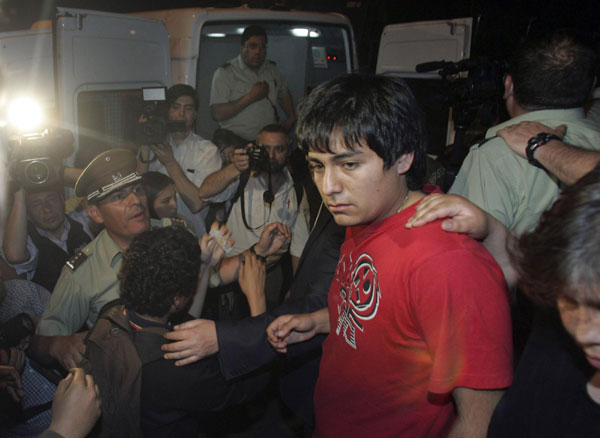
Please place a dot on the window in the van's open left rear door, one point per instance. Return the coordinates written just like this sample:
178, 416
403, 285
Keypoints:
107, 119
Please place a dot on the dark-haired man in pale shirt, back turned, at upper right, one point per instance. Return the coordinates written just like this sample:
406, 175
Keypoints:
549, 81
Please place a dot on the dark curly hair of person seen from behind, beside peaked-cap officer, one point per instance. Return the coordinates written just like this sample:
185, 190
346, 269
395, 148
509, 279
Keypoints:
159, 265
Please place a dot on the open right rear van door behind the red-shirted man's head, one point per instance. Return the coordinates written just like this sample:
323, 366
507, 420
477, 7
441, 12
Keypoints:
404, 46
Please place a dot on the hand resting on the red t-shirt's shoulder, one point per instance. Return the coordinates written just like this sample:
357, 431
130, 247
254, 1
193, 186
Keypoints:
461, 216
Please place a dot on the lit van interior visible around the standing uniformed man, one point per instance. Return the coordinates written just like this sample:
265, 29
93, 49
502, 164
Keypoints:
306, 54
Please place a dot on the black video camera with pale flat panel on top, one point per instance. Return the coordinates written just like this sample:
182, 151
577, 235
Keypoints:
155, 124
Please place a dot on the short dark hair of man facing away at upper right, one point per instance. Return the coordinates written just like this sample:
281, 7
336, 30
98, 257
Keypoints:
553, 71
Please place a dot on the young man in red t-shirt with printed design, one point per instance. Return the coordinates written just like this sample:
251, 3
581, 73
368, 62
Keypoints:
420, 342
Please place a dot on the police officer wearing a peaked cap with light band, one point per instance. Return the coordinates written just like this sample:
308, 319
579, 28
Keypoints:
116, 199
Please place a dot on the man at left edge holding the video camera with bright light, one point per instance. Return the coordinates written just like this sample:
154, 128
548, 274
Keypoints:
39, 237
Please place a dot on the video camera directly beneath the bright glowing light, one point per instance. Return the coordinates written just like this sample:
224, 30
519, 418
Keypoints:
36, 159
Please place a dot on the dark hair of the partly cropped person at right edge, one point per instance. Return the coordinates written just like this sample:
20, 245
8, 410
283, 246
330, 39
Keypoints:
561, 257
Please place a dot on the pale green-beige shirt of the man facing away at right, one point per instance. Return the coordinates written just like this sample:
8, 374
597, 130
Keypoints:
505, 184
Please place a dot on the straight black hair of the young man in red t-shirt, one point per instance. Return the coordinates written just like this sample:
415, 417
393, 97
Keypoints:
377, 111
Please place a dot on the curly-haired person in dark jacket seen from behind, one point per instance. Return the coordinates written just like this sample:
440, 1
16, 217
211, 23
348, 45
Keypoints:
142, 393
